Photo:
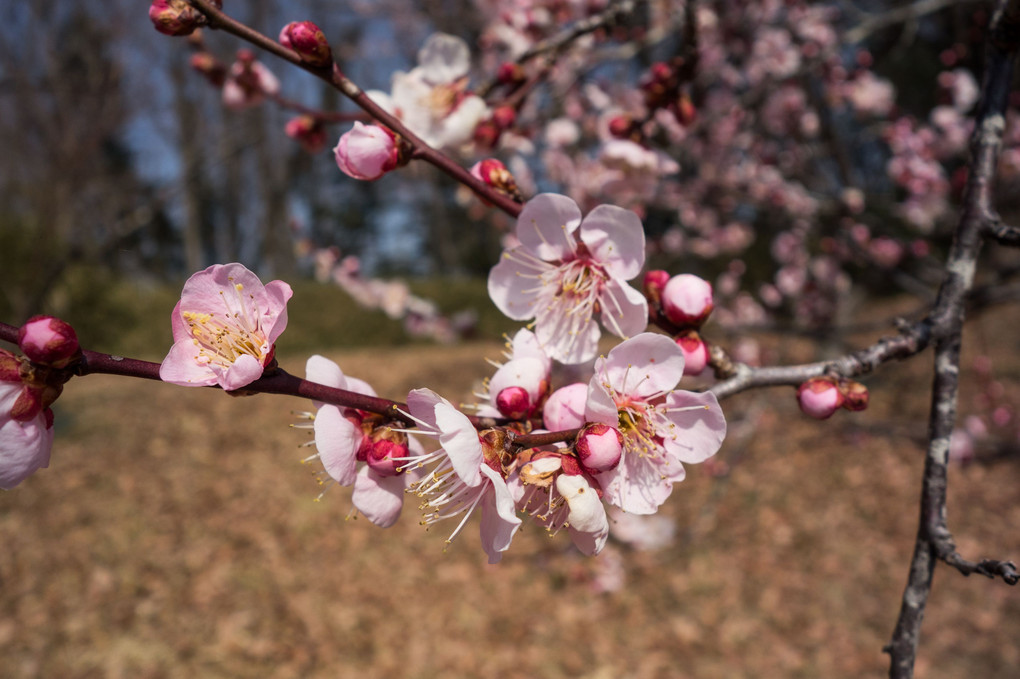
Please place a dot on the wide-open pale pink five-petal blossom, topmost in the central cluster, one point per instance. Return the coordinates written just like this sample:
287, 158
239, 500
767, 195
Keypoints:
568, 270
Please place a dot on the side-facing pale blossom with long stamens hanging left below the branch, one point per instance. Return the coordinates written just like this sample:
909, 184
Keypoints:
468, 475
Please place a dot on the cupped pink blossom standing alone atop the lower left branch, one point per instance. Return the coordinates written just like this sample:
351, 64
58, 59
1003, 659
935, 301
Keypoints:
225, 329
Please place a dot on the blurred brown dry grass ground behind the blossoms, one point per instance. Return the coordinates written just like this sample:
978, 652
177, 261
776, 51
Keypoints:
176, 536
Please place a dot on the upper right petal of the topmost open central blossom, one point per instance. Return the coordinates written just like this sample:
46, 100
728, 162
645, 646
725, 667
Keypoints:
617, 239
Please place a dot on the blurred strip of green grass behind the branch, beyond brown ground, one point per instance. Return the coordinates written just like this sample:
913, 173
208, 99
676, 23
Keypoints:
131, 318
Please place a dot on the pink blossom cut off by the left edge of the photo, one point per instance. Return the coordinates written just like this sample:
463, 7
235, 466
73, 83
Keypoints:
25, 444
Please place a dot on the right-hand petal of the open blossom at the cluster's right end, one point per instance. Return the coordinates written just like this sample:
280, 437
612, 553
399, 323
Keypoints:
700, 431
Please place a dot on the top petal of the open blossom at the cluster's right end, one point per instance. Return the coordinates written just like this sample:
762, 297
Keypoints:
644, 367
